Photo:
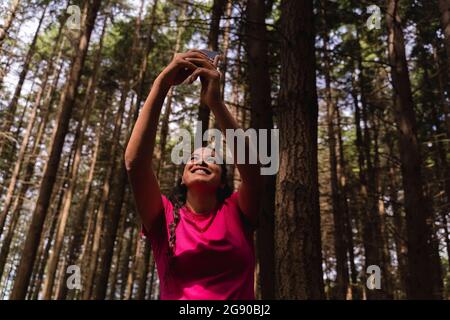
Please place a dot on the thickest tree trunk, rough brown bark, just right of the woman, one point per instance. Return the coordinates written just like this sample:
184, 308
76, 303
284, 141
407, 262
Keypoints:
298, 257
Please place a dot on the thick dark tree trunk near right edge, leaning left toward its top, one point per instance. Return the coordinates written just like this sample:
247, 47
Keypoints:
417, 211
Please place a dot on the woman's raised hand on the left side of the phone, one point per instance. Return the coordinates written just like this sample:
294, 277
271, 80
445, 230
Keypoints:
179, 68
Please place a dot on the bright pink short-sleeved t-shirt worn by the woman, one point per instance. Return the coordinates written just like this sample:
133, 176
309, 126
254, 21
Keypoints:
214, 255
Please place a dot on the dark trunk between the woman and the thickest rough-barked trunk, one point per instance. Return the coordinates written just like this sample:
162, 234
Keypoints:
261, 118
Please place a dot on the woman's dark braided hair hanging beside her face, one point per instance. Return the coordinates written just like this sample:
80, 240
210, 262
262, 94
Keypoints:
178, 199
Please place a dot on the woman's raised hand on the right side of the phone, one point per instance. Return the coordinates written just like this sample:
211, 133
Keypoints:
210, 78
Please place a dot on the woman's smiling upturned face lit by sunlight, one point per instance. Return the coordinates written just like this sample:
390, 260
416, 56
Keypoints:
201, 170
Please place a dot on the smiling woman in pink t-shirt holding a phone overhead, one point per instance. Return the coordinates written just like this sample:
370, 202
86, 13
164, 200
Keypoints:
202, 238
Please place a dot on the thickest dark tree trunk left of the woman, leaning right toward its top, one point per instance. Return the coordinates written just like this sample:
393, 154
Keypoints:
67, 102
